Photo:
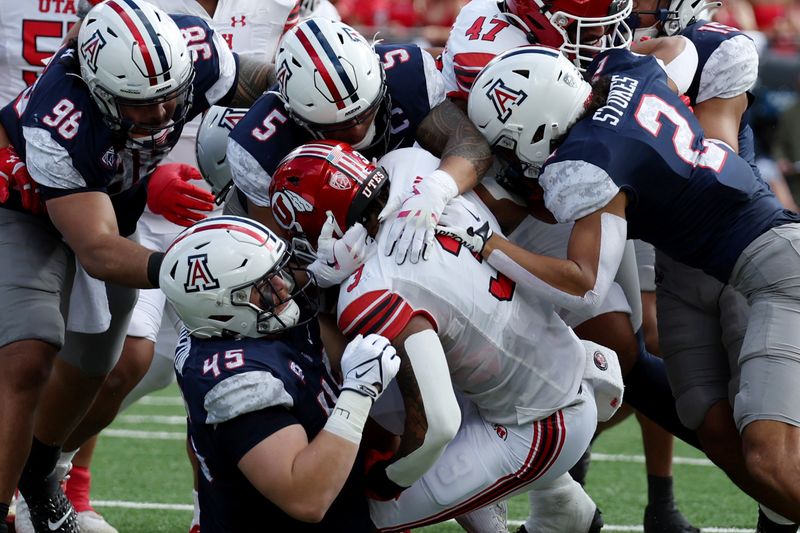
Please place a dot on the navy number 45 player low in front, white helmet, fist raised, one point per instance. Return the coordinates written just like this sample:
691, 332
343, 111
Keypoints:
274, 434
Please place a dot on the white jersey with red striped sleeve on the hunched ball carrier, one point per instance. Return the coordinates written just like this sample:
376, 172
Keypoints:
512, 356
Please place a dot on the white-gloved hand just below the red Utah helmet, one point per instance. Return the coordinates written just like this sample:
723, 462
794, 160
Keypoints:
337, 259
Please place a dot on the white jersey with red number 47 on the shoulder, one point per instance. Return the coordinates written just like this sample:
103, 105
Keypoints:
480, 32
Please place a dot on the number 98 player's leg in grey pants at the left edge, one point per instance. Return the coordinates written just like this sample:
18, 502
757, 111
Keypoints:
34, 291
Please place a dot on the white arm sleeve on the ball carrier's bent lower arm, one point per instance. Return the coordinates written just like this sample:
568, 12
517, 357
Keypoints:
442, 413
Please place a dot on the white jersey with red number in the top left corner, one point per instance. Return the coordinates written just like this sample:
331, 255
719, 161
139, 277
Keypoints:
30, 32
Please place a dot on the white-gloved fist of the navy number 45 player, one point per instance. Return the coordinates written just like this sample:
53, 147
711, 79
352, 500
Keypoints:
369, 364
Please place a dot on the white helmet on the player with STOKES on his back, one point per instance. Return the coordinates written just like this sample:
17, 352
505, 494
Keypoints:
526, 98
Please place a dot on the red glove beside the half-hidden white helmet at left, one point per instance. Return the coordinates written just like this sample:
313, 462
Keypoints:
170, 195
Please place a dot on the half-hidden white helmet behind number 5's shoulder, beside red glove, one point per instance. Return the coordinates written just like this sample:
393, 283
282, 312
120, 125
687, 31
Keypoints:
211, 145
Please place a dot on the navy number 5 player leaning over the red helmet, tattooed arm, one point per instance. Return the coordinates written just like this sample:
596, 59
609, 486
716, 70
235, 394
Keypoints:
333, 84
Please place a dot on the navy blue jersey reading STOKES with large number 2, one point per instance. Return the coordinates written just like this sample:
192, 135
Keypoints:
692, 198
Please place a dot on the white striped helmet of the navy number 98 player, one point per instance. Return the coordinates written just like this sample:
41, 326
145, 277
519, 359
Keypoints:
132, 53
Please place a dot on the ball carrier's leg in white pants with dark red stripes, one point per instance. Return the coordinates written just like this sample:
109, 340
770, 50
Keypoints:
489, 462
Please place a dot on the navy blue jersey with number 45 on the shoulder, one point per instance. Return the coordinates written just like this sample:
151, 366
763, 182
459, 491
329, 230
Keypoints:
237, 393
